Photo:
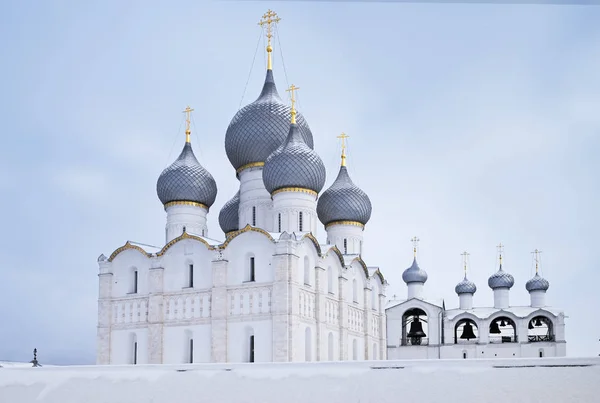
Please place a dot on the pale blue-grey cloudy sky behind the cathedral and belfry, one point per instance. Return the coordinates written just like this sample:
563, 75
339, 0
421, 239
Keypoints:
469, 125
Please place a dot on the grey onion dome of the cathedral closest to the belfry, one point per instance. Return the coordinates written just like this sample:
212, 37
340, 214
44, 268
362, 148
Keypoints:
344, 201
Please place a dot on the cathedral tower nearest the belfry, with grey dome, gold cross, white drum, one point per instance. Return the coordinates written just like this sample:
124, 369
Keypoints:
344, 209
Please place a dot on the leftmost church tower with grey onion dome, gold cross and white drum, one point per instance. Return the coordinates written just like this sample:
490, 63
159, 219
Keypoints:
187, 190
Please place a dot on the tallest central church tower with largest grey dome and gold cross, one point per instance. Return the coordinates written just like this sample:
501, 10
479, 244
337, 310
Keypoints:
254, 133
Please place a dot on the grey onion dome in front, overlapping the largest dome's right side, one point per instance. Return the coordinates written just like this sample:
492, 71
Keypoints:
294, 165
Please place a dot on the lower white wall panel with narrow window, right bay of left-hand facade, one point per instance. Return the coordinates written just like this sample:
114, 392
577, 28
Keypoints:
238, 340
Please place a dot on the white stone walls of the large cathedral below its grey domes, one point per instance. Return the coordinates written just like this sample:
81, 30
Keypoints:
257, 296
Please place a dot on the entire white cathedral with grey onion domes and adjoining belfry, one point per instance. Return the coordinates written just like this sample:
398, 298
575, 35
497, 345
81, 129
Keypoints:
270, 291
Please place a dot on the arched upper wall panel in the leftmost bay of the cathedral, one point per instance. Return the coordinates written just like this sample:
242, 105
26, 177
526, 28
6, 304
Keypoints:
123, 267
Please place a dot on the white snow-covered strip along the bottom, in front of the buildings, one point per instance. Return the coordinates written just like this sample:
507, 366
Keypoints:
462, 381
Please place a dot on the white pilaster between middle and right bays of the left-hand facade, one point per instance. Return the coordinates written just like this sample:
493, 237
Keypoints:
219, 313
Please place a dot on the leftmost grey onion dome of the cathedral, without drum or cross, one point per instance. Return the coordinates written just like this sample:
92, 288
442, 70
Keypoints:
186, 180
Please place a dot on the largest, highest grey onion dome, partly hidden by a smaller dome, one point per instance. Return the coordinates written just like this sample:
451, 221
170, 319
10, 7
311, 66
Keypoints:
260, 127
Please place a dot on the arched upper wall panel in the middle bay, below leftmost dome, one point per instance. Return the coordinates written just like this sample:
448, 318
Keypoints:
176, 262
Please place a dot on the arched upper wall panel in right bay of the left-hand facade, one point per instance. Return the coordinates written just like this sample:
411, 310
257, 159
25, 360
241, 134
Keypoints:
241, 249
